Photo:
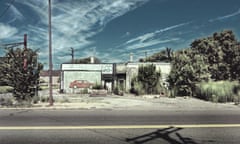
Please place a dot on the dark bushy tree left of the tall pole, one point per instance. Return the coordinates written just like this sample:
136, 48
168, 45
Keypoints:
20, 70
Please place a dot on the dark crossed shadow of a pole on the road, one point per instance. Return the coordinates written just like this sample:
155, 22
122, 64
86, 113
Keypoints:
162, 134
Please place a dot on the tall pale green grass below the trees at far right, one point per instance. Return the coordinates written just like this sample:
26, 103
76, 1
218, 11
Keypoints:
219, 91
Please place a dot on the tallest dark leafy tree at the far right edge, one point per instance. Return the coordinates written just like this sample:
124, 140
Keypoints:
221, 52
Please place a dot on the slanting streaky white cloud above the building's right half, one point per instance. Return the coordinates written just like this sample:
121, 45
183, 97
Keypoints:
149, 42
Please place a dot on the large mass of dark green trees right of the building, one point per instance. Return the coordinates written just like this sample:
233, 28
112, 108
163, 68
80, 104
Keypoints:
212, 58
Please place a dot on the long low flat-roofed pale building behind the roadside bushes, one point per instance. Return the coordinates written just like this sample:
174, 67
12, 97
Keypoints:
109, 75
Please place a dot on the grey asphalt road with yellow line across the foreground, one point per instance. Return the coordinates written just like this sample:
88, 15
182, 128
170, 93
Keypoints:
112, 126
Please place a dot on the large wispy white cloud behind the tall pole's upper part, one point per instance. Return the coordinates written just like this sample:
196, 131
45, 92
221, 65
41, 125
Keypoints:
75, 22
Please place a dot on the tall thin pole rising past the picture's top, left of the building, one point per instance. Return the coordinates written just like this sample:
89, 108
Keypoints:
50, 53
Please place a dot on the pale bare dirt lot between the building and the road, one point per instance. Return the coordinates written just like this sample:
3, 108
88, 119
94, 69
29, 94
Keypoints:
130, 102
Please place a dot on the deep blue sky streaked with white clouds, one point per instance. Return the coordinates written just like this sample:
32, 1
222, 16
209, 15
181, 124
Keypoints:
112, 29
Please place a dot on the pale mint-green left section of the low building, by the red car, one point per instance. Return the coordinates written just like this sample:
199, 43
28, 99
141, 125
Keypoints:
100, 74
